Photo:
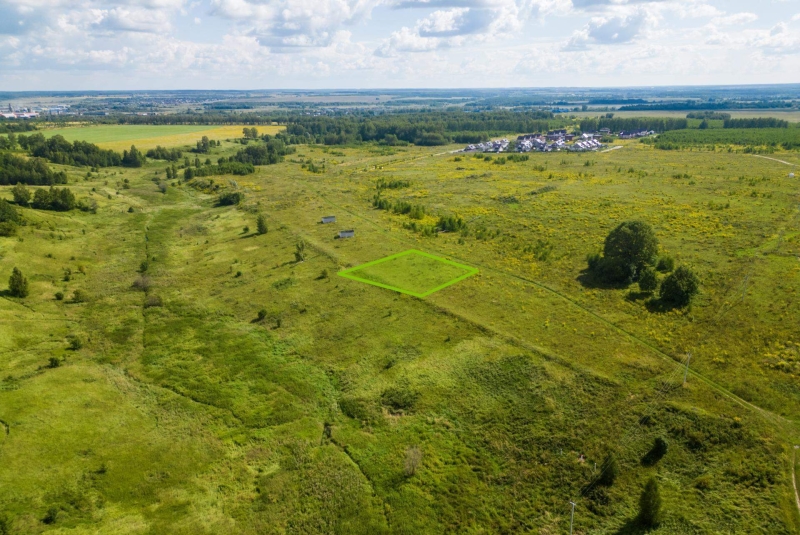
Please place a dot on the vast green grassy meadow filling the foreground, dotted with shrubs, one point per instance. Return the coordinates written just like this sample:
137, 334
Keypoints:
247, 391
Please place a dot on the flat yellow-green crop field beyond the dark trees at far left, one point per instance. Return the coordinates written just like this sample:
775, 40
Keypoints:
121, 137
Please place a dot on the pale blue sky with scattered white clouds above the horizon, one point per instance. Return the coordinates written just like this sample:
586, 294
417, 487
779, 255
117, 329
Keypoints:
331, 44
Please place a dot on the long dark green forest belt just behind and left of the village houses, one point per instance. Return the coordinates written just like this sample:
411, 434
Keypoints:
421, 128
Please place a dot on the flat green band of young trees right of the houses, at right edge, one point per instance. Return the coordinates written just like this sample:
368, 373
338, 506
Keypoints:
787, 138
